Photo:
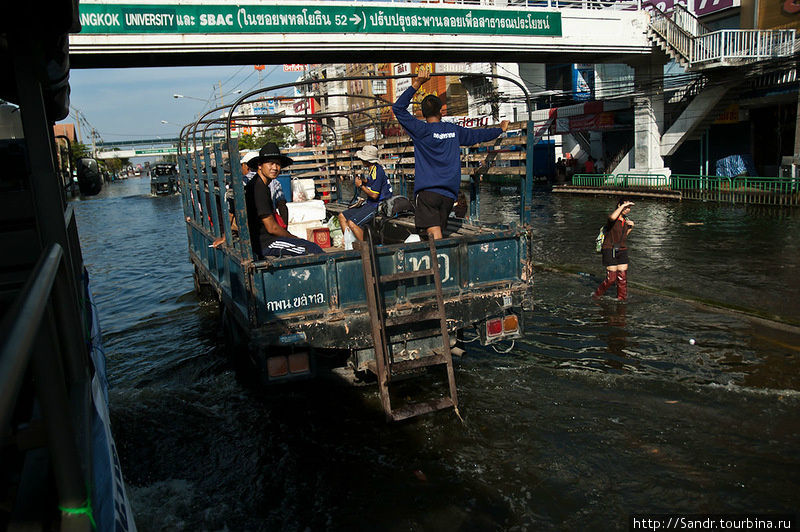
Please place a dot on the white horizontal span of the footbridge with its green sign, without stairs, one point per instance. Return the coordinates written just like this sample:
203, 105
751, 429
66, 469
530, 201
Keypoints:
119, 34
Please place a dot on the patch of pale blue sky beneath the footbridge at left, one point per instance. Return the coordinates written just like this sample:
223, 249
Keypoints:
130, 103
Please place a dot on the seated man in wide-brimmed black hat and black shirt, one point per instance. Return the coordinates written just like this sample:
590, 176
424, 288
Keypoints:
267, 236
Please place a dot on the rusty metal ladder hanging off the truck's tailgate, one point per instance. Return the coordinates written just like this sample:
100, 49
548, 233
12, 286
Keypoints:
385, 368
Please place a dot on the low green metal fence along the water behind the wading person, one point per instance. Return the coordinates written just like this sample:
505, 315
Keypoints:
742, 189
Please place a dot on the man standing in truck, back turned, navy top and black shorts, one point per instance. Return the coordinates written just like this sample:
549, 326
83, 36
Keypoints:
437, 155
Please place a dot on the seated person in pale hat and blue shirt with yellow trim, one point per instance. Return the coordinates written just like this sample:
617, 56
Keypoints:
376, 187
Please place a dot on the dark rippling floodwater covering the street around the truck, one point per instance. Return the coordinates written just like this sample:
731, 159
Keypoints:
600, 411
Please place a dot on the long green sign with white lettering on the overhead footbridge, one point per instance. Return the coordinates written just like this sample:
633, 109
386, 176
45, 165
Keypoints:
313, 18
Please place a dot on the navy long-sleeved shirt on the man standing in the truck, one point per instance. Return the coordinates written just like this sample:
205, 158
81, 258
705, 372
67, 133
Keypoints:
437, 152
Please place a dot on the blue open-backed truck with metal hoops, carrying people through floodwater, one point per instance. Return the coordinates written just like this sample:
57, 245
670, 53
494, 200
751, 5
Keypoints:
388, 309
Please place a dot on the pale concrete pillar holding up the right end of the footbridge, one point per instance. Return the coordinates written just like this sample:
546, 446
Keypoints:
648, 121
